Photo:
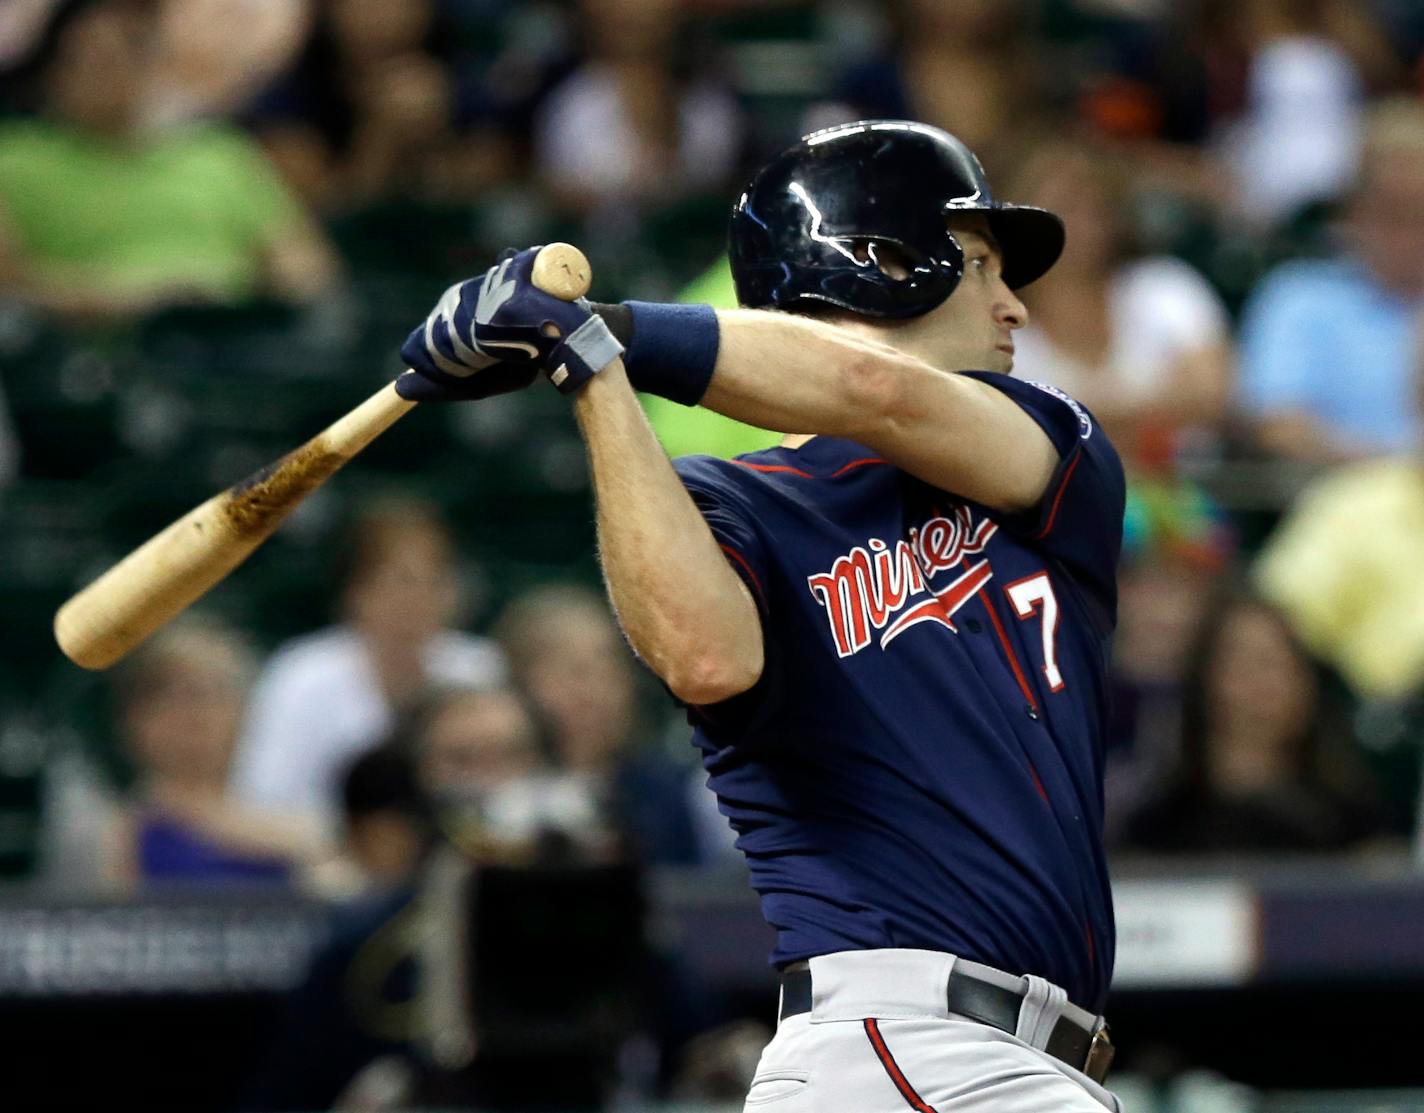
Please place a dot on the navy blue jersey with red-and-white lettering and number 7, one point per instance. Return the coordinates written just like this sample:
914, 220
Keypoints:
921, 764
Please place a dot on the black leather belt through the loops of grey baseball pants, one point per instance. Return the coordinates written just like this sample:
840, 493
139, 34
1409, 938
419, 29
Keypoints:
1079, 1040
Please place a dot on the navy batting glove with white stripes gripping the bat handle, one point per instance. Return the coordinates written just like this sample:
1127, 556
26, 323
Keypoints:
501, 325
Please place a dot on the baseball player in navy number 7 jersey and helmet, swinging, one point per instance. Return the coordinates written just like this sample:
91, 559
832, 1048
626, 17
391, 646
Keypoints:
891, 635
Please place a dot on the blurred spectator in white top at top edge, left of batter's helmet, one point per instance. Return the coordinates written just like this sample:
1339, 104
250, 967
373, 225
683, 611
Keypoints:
632, 125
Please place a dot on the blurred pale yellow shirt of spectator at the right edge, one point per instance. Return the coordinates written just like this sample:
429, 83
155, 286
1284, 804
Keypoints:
1344, 567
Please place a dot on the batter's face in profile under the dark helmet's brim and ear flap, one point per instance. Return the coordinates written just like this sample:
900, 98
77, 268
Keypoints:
975, 328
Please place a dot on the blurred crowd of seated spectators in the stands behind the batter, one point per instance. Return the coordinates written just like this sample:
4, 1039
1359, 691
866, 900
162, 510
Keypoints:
1241, 305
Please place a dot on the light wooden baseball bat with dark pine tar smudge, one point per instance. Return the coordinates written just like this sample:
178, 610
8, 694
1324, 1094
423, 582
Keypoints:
174, 569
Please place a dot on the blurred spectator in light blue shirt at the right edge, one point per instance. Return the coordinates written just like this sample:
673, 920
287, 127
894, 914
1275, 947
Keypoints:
1329, 345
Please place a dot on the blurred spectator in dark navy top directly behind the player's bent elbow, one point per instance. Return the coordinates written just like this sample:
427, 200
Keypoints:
567, 655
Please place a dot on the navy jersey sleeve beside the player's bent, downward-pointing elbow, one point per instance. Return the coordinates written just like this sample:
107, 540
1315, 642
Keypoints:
730, 513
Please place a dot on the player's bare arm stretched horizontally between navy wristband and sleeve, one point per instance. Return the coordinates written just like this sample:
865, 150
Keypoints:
804, 376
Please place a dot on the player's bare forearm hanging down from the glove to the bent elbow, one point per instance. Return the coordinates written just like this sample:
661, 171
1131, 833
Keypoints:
686, 611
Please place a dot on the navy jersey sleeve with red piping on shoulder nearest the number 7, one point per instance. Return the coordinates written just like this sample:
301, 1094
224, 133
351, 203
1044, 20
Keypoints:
1079, 522
